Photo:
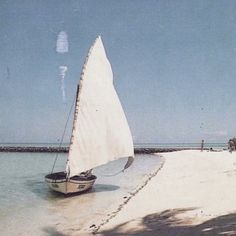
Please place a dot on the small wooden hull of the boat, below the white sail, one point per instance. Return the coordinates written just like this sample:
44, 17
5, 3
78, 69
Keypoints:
58, 182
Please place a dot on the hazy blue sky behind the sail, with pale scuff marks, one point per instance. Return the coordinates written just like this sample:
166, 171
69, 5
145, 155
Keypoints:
174, 65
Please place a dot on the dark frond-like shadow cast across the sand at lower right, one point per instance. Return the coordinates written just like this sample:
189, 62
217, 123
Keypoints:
166, 223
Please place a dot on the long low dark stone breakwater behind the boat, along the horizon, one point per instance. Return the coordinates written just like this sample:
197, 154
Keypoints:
138, 150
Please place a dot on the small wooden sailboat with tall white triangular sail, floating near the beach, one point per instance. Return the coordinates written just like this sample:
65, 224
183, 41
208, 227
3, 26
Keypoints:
100, 131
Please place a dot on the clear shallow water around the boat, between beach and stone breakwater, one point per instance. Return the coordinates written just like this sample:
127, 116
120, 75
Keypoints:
28, 207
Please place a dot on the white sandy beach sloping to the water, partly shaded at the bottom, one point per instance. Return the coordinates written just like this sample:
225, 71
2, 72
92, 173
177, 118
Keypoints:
186, 197
